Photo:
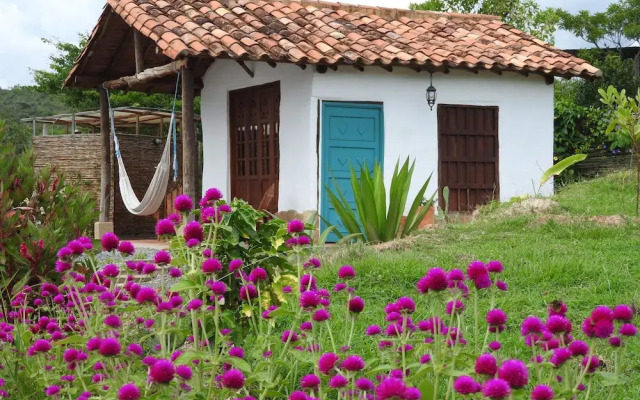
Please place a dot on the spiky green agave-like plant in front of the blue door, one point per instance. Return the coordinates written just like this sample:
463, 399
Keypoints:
375, 220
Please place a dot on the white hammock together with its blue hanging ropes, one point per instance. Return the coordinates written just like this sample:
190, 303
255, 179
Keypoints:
157, 190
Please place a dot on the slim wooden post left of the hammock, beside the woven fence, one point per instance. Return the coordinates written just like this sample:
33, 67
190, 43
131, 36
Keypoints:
105, 170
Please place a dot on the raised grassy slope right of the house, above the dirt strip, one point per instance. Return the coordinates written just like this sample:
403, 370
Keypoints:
607, 195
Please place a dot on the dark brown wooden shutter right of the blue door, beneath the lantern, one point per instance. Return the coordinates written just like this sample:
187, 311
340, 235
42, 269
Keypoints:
468, 155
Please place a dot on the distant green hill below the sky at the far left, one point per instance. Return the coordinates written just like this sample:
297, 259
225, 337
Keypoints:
23, 102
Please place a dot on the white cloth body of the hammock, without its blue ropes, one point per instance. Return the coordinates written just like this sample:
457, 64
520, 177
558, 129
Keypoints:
157, 190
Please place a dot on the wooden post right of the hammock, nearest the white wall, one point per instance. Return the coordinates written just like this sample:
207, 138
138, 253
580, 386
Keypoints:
189, 140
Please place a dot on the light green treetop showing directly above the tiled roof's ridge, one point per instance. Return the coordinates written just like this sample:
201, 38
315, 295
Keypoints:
526, 15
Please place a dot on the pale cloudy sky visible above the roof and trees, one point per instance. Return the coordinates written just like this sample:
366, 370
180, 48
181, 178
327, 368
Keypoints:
24, 23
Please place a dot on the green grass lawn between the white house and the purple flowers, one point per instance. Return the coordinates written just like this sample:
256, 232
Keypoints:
576, 261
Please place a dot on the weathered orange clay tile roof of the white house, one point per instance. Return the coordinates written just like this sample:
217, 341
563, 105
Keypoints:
316, 32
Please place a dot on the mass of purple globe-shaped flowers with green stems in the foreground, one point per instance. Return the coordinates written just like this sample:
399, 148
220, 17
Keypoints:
111, 336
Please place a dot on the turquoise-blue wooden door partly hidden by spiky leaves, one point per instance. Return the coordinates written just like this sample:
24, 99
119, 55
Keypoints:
352, 133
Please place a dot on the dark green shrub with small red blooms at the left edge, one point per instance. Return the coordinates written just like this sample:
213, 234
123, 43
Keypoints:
39, 211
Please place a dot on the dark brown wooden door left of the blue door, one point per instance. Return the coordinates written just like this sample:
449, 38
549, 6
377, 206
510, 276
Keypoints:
254, 118
